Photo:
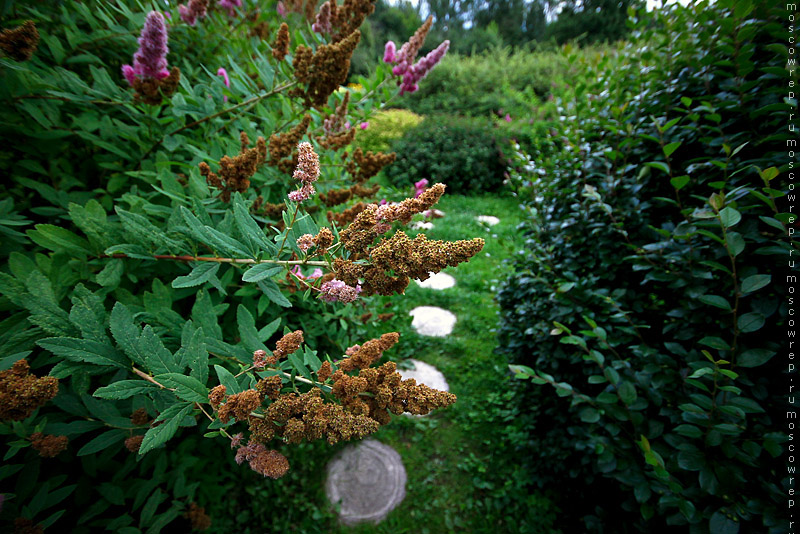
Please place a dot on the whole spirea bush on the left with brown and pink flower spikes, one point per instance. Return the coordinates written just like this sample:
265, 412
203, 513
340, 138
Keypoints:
179, 288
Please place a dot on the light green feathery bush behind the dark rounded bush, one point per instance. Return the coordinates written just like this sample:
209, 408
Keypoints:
497, 81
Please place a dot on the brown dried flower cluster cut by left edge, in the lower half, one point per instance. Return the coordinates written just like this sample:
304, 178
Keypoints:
21, 392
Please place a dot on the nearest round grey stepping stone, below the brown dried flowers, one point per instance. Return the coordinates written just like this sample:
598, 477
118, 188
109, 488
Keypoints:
368, 480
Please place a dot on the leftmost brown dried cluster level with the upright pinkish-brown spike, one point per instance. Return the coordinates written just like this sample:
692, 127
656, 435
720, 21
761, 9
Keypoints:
235, 173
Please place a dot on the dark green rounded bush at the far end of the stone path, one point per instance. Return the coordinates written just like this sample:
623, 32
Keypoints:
462, 153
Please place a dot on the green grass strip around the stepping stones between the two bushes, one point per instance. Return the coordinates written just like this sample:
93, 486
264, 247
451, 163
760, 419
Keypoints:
460, 465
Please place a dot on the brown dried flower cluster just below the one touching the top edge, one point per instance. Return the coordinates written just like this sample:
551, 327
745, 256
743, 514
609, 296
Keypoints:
325, 71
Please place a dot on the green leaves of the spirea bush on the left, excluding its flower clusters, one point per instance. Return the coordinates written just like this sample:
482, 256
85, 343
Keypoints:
127, 277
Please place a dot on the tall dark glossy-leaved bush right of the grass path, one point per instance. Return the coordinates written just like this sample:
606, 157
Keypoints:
647, 296
